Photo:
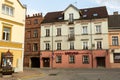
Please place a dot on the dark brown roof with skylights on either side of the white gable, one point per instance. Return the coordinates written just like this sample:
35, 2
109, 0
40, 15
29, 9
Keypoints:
59, 16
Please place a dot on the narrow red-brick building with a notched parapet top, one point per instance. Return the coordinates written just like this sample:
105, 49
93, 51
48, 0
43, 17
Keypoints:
32, 40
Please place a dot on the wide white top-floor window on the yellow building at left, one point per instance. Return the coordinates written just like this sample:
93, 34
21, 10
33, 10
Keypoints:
7, 10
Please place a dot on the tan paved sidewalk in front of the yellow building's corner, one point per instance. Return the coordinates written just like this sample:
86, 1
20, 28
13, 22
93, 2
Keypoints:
26, 74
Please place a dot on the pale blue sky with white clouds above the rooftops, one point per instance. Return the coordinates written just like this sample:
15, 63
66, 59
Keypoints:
45, 6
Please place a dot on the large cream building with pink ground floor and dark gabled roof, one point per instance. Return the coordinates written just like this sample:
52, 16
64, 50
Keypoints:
75, 38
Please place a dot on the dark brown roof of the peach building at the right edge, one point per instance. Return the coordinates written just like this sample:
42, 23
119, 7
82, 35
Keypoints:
114, 22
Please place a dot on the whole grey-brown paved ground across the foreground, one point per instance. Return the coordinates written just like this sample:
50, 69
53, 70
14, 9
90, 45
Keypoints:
66, 74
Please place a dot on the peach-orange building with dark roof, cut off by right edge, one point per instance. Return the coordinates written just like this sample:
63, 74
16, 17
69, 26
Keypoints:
114, 39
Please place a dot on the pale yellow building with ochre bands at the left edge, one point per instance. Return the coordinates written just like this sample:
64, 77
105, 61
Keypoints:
12, 28
